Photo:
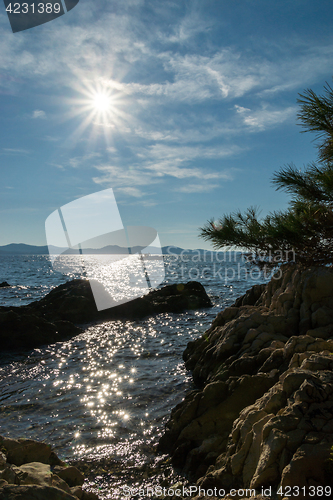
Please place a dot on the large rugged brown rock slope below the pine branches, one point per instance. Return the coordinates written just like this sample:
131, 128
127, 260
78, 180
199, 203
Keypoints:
262, 413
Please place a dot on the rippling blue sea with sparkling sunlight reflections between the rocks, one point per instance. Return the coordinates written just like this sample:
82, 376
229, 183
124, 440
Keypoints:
102, 398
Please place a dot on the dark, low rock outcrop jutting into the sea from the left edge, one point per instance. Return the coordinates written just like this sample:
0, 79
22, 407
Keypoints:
58, 314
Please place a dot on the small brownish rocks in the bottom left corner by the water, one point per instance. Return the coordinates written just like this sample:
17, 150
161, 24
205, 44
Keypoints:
30, 470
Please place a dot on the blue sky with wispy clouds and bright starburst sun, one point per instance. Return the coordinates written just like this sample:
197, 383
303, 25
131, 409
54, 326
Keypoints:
201, 109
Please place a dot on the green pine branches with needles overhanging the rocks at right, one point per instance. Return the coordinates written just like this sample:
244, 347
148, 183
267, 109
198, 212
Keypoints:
305, 230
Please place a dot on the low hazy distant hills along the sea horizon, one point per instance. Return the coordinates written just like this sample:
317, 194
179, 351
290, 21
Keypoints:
23, 249
